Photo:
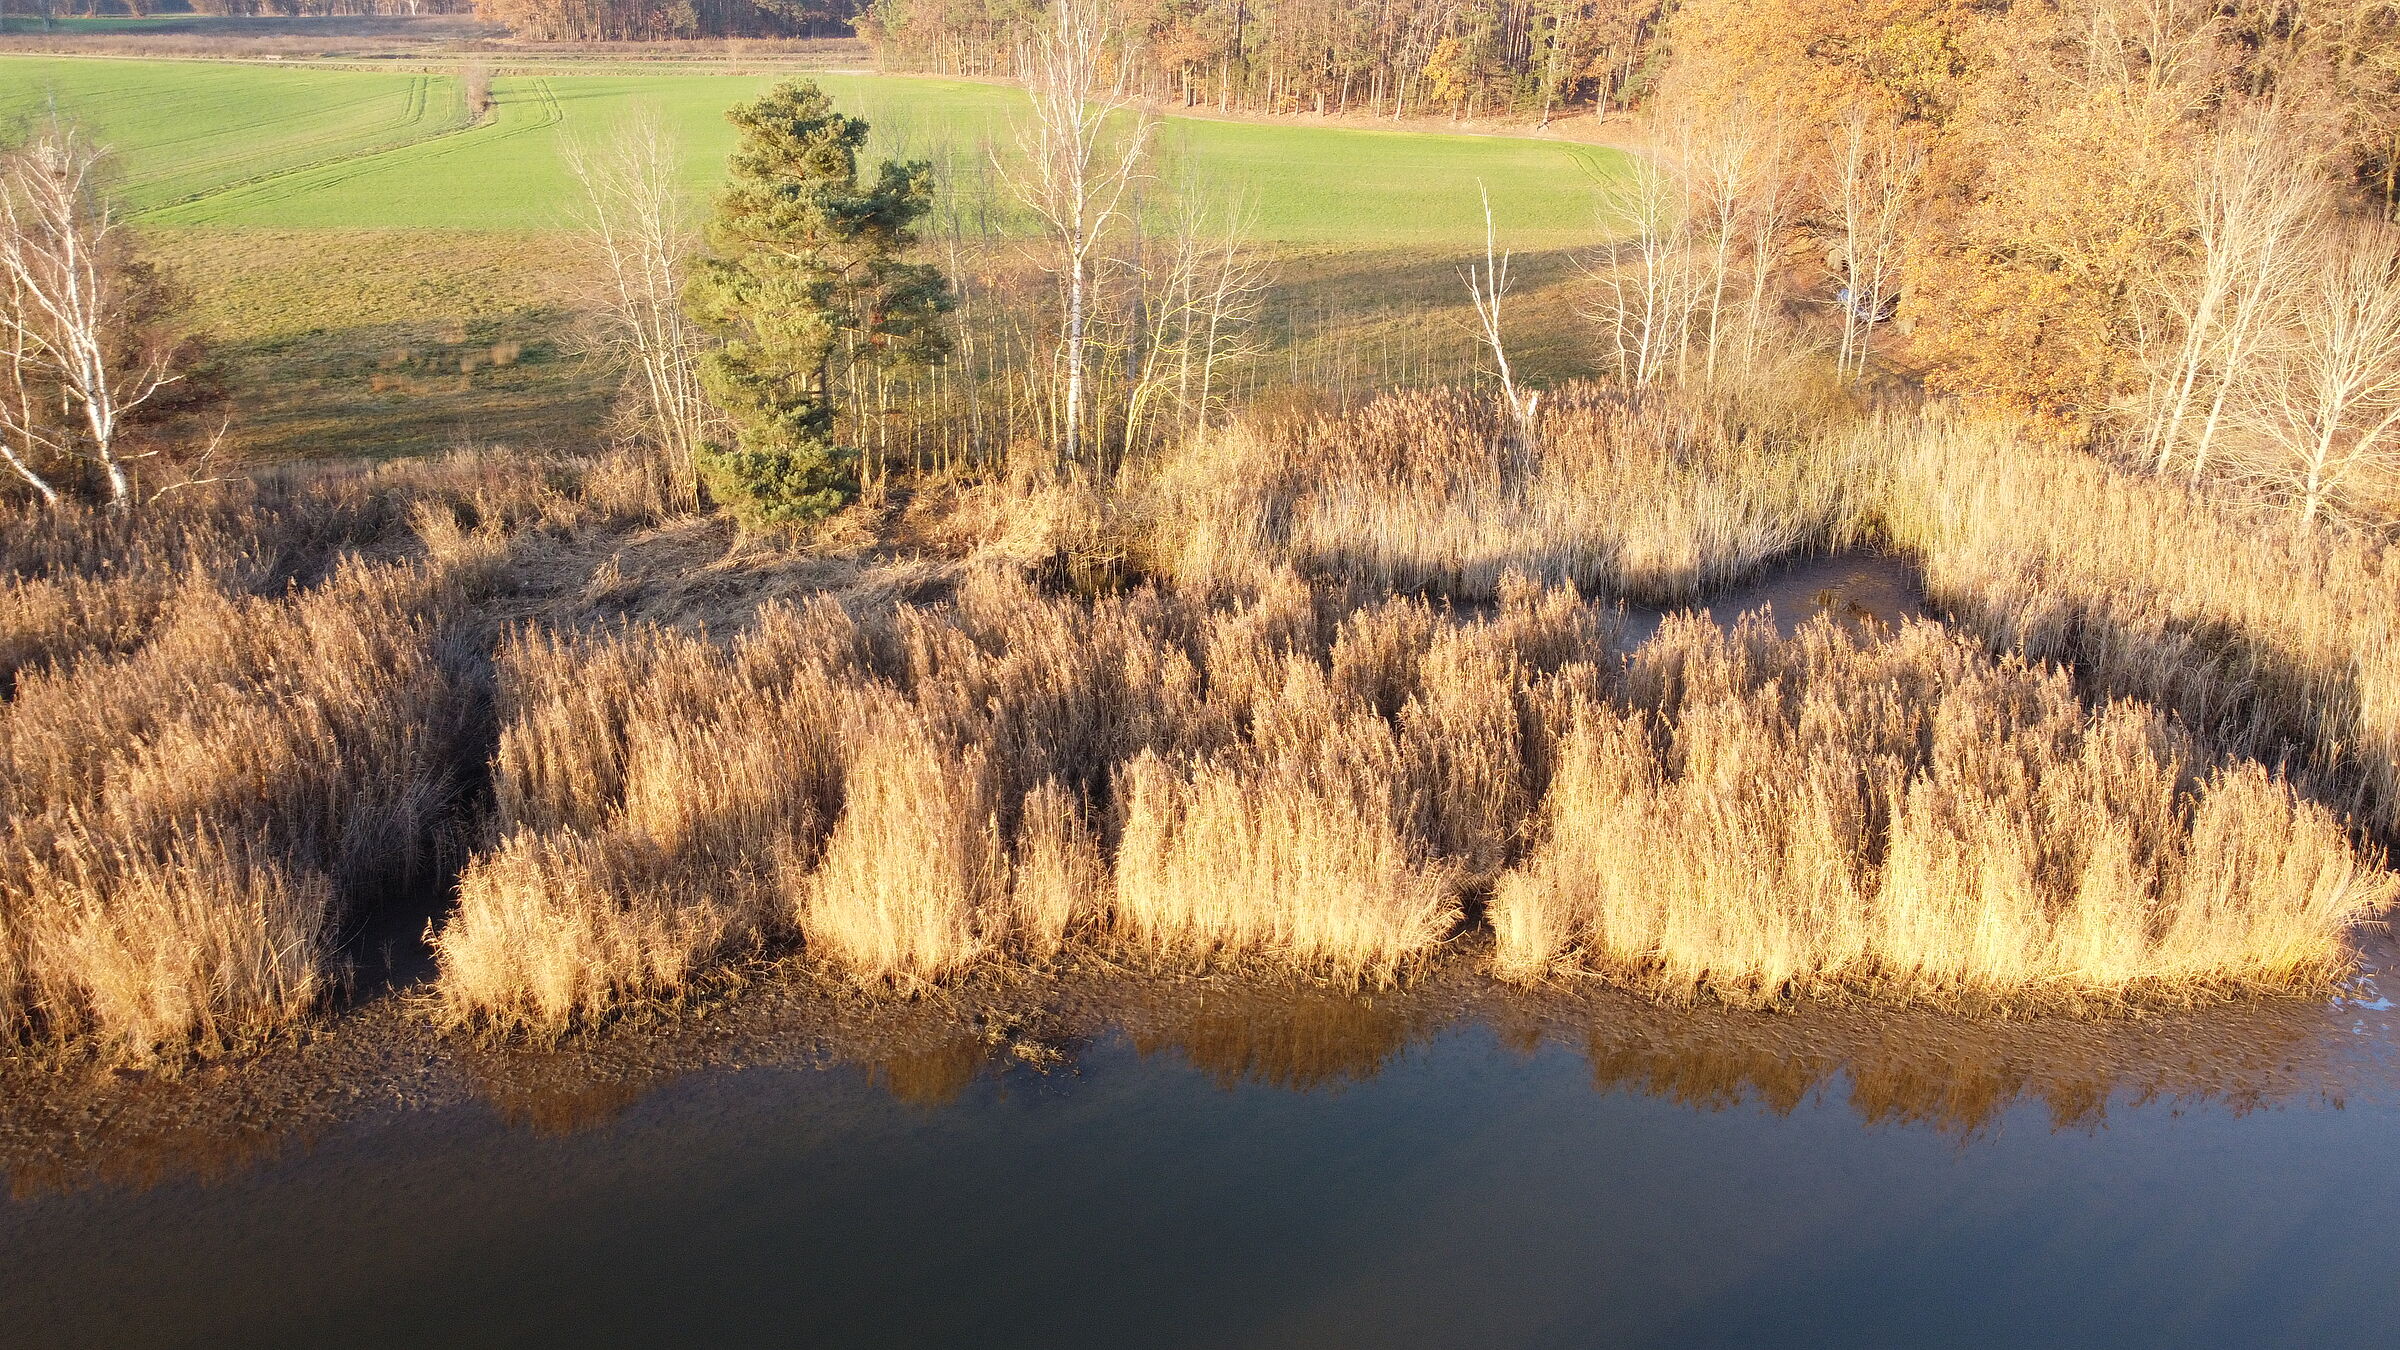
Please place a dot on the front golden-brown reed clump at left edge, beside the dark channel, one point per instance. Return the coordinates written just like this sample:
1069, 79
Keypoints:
184, 823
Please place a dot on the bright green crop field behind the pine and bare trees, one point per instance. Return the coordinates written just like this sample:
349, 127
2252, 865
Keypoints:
296, 148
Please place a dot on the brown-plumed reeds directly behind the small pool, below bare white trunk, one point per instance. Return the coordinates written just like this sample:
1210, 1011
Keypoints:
1444, 494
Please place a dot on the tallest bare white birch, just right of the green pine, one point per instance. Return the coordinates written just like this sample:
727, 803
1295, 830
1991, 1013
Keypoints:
1081, 157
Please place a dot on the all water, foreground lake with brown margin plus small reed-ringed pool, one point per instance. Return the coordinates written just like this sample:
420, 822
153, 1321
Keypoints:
1117, 1159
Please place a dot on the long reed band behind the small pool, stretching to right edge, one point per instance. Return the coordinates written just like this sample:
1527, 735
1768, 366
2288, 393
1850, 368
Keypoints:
2269, 640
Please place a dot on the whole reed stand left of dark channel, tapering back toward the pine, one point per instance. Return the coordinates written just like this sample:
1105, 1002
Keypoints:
232, 724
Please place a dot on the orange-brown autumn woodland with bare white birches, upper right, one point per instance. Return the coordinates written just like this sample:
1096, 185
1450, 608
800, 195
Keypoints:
2156, 227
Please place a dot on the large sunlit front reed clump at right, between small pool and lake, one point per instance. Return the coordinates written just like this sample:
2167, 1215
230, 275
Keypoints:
1760, 818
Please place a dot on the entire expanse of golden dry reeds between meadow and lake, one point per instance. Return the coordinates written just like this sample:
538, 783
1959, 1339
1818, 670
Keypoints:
1312, 693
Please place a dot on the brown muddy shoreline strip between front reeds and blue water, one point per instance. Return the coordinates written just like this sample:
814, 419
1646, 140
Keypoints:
78, 1125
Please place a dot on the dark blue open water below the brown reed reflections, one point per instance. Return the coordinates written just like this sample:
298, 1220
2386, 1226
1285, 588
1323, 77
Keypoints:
1465, 1195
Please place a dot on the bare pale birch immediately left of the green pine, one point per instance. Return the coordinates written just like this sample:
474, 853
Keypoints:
640, 239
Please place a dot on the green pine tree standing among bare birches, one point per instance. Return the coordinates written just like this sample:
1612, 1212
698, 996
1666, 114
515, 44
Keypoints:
810, 275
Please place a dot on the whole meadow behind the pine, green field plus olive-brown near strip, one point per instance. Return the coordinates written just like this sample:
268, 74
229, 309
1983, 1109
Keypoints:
361, 251
